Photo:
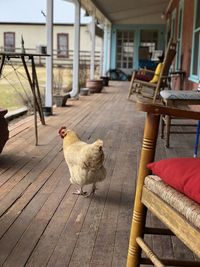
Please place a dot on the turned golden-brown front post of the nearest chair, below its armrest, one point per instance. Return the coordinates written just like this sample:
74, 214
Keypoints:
139, 212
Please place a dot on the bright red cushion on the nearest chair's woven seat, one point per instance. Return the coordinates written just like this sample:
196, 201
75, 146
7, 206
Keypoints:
183, 174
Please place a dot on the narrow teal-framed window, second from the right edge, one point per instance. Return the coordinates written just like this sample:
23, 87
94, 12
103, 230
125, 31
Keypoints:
179, 36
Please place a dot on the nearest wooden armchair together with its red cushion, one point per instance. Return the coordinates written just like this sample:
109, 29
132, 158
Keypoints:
178, 213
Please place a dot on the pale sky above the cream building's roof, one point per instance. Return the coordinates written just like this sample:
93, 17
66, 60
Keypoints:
30, 11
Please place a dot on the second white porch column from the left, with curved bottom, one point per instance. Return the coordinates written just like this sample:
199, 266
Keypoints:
75, 86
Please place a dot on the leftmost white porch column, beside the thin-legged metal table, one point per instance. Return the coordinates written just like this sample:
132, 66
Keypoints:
49, 59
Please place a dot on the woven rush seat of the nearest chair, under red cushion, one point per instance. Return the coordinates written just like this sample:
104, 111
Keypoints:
185, 206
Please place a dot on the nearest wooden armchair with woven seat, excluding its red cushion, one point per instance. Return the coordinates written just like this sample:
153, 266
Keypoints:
162, 200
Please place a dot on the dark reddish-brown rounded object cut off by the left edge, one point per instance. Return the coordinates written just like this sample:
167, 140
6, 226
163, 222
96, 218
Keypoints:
4, 133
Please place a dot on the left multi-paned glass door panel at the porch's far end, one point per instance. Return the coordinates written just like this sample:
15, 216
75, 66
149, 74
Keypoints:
125, 48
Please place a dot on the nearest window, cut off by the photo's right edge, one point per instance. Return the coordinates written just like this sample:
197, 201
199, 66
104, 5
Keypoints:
195, 67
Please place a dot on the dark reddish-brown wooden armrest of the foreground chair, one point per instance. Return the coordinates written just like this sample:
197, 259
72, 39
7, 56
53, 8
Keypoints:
157, 109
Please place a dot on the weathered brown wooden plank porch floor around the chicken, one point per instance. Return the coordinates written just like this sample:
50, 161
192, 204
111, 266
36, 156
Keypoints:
41, 222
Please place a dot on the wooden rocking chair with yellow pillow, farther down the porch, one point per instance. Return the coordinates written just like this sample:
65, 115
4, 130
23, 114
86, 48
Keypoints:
160, 78
